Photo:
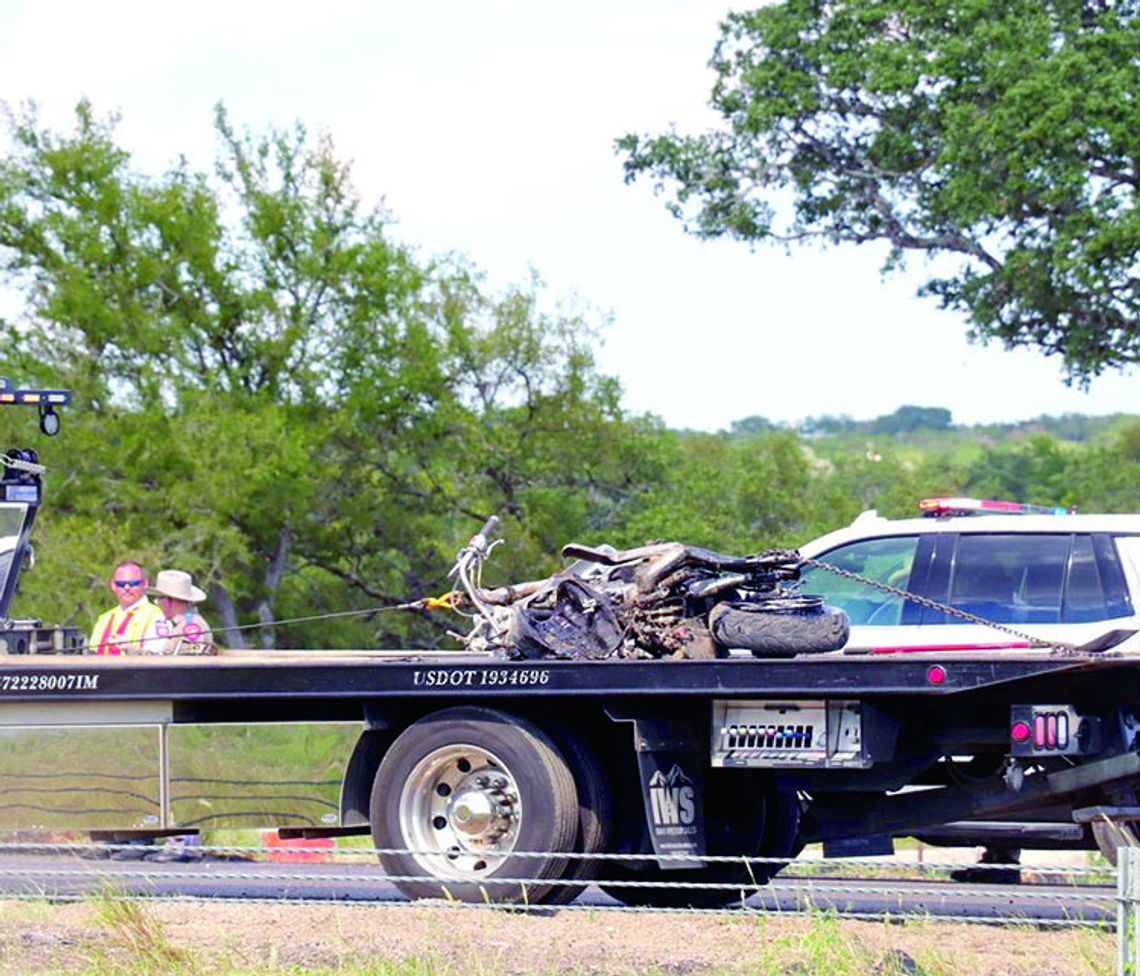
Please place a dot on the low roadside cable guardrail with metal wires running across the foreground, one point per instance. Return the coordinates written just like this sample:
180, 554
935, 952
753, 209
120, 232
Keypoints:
1063, 896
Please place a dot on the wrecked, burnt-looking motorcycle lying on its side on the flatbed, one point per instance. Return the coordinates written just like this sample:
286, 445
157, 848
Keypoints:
664, 600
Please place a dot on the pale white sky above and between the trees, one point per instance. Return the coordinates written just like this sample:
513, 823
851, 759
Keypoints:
487, 129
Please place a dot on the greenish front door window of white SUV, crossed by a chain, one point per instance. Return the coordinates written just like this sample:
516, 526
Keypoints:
887, 560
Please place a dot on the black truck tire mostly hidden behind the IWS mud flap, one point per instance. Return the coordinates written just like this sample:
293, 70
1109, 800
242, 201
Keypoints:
768, 827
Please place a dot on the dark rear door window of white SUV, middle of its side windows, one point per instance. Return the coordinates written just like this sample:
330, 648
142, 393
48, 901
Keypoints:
1011, 579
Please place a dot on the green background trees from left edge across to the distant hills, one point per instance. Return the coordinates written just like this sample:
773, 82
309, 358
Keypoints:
273, 394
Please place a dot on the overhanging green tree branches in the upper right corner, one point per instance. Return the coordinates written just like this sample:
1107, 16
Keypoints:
1001, 135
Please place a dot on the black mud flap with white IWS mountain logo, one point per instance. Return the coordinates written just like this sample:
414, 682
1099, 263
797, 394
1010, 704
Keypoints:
672, 767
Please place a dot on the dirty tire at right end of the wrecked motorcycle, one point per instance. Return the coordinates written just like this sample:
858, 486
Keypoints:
773, 633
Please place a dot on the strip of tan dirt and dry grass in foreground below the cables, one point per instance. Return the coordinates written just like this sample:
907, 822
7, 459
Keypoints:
156, 938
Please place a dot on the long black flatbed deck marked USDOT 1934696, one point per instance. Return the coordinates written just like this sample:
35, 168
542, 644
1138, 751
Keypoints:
408, 674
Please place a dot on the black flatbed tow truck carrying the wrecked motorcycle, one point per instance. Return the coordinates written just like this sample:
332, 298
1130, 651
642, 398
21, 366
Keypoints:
484, 778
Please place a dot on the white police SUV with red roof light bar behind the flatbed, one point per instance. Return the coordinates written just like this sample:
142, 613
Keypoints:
1039, 574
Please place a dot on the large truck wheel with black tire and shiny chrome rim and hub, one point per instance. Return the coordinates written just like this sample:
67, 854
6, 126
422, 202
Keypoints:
460, 791
